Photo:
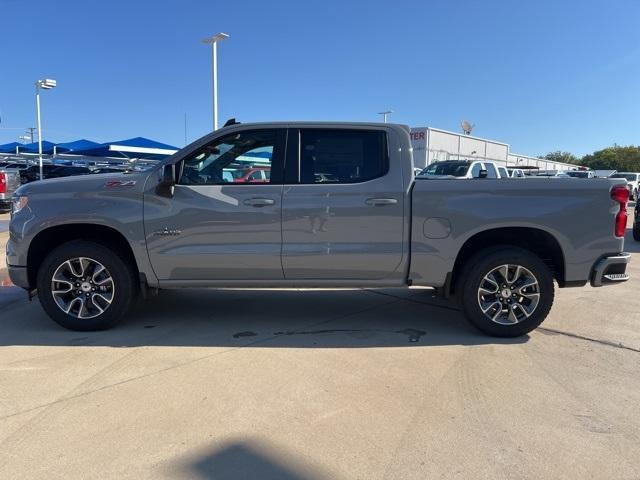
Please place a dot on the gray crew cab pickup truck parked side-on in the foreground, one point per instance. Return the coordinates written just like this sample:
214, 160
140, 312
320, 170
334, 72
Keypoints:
312, 205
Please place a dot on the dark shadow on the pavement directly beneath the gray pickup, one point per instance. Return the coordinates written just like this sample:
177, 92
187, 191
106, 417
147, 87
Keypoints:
264, 319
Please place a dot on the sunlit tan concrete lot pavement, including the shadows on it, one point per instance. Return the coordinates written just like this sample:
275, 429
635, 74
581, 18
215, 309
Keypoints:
291, 384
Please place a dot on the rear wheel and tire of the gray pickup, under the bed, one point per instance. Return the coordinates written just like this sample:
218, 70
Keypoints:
485, 269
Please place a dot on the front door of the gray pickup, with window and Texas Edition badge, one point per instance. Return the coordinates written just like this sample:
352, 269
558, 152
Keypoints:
217, 226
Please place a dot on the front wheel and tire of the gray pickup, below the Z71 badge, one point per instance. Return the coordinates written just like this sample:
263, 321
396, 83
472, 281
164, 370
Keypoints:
112, 290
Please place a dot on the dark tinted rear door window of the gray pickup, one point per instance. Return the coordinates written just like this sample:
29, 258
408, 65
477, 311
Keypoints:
342, 156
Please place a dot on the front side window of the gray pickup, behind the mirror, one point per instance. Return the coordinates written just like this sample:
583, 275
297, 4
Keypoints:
243, 157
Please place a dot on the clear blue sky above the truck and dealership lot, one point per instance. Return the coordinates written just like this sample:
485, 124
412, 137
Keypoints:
541, 75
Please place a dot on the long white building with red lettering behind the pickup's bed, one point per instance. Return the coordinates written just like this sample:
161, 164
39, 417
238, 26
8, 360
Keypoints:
433, 145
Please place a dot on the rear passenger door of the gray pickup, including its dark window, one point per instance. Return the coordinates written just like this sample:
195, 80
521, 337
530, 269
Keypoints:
342, 206
